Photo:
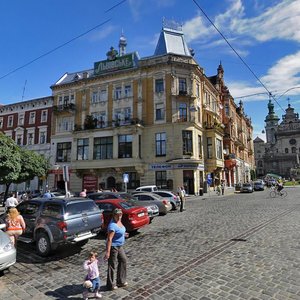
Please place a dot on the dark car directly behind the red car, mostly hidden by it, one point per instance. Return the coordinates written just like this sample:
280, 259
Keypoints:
152, 208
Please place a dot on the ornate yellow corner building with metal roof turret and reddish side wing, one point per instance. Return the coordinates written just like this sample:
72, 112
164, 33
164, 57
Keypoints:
158, 119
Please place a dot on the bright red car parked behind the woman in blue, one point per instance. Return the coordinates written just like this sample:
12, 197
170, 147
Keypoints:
134, 217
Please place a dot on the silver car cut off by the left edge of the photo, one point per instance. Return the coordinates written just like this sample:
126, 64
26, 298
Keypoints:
7, 250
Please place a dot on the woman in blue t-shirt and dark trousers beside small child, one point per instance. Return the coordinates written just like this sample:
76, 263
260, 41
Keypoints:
115, 254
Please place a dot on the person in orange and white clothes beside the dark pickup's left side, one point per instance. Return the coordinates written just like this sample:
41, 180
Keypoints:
15, 224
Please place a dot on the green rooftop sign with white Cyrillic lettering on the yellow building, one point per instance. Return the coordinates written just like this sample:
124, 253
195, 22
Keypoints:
119, 63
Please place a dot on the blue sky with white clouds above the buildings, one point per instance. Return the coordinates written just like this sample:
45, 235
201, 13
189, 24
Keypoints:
265, 33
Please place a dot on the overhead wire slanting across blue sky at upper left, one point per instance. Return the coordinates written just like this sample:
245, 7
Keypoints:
64, 44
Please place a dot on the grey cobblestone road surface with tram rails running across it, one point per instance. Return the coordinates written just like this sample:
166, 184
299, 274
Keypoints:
237, 246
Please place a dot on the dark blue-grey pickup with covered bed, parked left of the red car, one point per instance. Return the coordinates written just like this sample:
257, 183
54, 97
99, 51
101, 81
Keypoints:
53, 222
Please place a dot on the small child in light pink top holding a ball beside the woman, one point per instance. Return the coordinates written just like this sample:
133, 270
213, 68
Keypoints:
92, 279
